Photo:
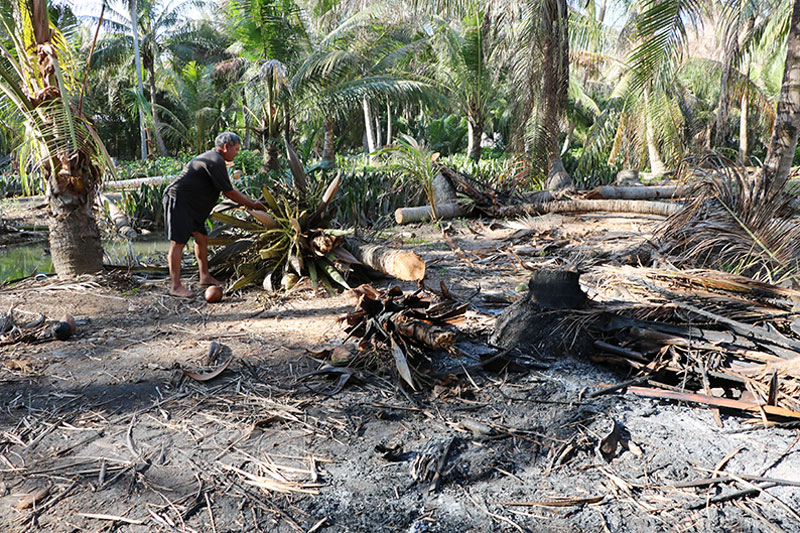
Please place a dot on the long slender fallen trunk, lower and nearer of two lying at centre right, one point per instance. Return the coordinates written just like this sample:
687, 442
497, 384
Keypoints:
641, 207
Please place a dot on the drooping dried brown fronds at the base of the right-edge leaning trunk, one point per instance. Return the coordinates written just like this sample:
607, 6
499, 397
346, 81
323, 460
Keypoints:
724, 226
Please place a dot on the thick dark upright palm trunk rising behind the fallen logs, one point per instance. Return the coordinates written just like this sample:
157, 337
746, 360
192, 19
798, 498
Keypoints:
555, 81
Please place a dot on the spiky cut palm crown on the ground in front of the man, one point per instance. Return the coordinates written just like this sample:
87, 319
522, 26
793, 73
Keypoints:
291, 240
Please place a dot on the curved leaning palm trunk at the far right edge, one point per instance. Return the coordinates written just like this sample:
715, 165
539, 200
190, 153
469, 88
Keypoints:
780, 153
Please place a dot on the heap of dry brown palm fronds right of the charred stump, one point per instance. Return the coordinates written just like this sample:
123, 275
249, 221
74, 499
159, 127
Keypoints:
705, 328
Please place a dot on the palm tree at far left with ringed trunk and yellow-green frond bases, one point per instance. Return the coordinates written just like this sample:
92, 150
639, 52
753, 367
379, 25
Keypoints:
36, 83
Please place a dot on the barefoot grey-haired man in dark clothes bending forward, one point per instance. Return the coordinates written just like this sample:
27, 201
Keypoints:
188, 202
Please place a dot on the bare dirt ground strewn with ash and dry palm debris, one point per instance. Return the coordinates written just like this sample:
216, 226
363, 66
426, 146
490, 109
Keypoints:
110, 434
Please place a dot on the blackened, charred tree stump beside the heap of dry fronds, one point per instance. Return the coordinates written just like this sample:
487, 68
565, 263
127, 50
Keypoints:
542, 323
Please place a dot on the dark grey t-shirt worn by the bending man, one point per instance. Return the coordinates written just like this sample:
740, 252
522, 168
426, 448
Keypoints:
199, 184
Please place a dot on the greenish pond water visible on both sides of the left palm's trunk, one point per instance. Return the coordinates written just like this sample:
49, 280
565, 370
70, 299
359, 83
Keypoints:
22, 260
